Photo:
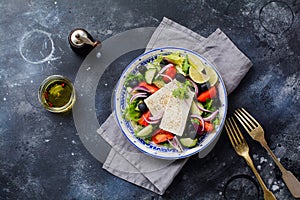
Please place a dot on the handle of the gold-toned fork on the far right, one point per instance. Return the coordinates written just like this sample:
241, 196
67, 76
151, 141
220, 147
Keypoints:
290, 180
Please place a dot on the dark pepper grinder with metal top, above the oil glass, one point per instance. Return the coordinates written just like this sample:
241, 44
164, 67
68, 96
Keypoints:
82, 42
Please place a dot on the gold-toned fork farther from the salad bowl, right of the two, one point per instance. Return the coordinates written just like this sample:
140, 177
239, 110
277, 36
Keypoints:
257, 133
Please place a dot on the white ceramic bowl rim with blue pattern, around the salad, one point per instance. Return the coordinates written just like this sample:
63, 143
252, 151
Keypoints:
159, 151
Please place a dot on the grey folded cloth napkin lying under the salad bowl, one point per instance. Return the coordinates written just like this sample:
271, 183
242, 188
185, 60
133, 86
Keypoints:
125, 160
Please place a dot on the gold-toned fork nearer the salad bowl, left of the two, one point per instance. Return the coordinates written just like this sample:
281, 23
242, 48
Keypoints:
241, 147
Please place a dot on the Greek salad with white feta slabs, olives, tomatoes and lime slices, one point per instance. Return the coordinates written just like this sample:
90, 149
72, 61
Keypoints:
173, 100
